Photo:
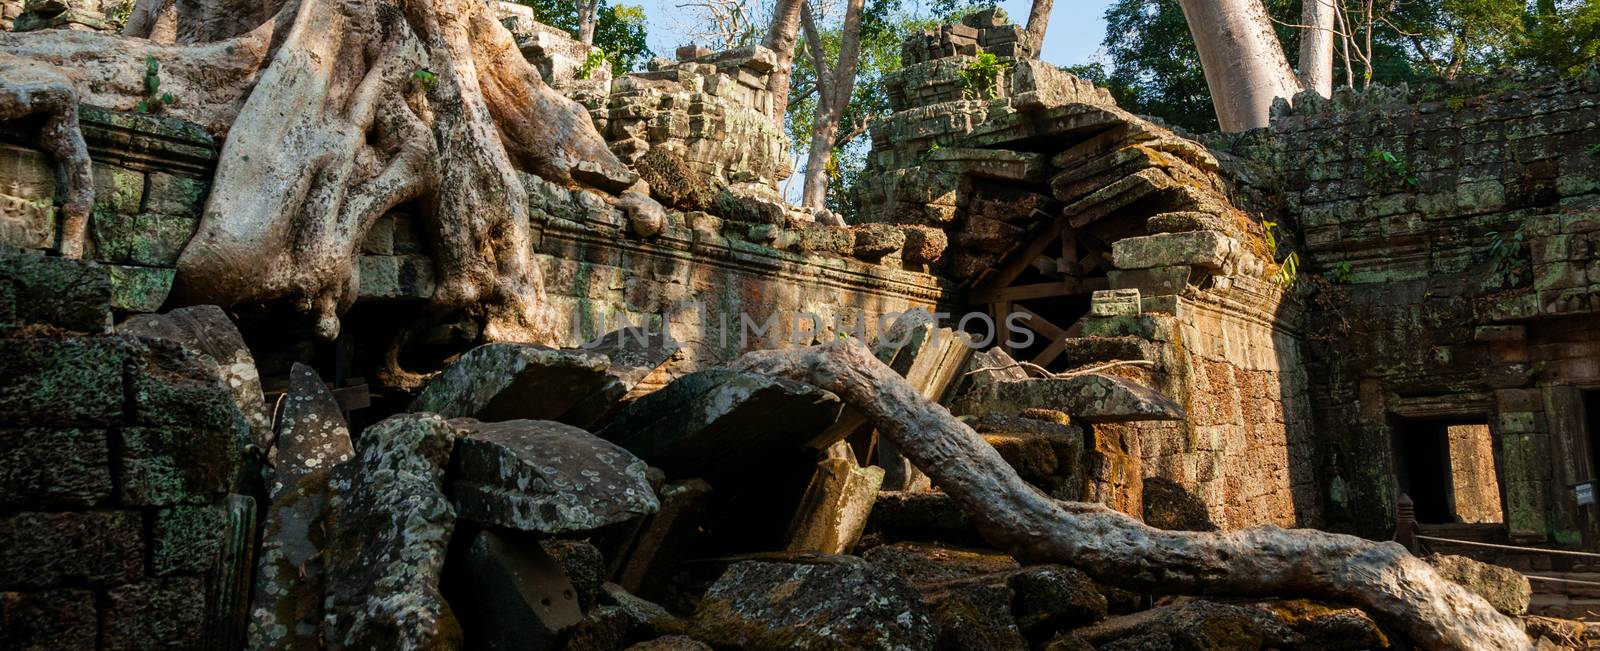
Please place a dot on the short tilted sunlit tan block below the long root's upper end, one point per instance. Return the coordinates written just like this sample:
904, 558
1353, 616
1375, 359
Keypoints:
836, 508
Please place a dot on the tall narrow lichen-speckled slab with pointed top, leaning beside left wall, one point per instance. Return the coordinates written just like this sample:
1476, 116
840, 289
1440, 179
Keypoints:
311, 442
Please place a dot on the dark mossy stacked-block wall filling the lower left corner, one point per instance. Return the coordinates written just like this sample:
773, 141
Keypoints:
118, 457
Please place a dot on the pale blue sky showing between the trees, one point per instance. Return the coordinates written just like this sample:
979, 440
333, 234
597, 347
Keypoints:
1076, 28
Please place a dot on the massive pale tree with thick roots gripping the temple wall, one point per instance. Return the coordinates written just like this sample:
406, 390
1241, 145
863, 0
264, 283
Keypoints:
362, 106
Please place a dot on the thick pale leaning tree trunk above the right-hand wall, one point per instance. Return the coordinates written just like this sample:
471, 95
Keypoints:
1244, 63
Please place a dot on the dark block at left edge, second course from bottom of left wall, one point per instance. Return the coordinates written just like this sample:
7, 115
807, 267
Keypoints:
97, 548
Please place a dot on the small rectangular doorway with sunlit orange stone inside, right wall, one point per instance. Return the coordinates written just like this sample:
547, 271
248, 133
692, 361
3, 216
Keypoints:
1450, 473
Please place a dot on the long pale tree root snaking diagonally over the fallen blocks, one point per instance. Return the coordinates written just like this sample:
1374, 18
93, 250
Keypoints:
1119, 551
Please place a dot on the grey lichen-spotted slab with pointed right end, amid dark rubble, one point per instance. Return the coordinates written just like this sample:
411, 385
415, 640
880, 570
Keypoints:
545, 477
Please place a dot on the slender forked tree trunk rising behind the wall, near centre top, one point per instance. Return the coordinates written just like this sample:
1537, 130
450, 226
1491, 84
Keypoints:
834, 90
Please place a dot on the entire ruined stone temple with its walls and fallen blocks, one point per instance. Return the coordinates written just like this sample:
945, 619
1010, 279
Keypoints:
1106, 302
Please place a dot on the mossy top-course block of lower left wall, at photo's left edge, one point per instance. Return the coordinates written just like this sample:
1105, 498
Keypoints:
65, 294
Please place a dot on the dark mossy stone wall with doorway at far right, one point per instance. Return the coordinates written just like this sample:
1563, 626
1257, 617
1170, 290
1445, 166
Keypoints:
1449, 247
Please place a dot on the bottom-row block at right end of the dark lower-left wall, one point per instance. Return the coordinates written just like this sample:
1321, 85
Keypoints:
158, 613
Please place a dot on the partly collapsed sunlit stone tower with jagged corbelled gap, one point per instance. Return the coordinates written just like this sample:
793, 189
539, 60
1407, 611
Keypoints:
1049, 194
